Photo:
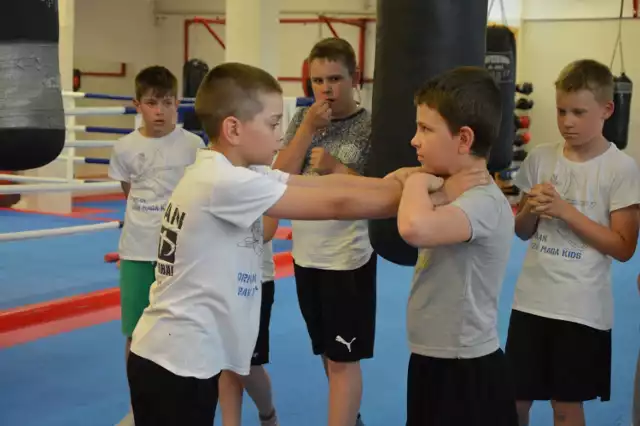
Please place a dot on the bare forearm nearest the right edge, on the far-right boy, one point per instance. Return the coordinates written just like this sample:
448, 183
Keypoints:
601, 238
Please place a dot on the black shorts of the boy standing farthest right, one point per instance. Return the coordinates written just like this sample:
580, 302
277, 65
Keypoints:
558, 360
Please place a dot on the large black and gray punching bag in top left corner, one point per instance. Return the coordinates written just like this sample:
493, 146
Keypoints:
32, 125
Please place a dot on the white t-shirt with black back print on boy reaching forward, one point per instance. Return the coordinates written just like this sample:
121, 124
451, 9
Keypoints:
204, 308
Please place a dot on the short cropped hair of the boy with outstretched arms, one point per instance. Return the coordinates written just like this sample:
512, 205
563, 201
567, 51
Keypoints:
232, 89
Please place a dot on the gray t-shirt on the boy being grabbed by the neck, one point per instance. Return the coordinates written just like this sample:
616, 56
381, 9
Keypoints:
453, 304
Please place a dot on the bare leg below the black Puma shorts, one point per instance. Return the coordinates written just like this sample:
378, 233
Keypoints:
345, 392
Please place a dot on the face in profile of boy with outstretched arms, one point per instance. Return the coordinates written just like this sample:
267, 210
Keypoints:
261, 137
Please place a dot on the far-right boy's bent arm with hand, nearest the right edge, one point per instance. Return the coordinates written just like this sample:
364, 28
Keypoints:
619, 240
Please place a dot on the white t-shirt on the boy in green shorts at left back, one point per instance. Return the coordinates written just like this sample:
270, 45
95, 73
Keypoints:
153, 167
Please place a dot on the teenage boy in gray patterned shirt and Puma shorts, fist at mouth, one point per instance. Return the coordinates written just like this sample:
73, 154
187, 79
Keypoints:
334, 263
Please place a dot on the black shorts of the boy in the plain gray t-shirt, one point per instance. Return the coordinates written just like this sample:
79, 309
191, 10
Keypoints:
460, 392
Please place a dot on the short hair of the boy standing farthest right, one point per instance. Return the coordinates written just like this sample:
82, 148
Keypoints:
587, 74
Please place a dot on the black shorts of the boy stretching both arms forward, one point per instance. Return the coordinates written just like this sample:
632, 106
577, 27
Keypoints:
161, 398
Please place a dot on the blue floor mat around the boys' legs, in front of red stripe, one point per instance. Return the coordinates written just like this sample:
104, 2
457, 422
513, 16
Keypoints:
78, 378
